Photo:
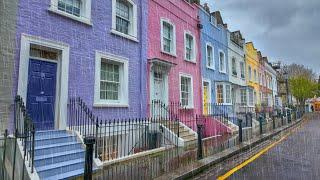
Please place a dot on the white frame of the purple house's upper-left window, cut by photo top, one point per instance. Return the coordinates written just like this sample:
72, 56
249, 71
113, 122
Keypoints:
85, 11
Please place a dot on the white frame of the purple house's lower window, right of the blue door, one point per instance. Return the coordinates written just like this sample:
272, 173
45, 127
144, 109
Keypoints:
124, 89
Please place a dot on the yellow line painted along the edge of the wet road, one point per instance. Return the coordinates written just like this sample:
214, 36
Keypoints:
229, 173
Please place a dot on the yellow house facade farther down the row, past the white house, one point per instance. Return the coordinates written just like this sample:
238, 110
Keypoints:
252, 71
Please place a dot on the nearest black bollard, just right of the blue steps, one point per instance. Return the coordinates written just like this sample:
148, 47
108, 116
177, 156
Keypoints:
89, 142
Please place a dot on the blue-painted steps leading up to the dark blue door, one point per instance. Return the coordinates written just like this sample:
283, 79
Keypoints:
58, 155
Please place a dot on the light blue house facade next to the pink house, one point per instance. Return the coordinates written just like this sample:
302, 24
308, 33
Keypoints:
214, 49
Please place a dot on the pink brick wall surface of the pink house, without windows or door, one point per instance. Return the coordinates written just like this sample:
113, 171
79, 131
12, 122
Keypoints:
185, 18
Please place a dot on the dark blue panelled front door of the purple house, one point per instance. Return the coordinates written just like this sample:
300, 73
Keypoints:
41, 93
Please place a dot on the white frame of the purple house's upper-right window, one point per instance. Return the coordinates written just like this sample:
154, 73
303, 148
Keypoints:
132, 35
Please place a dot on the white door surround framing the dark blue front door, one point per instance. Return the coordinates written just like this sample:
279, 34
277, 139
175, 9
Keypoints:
62, 87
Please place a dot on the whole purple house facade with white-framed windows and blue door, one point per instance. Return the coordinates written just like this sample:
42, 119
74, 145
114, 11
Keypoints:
92, 49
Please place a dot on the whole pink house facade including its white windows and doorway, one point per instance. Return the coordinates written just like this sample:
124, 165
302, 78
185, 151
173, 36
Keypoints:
174, 54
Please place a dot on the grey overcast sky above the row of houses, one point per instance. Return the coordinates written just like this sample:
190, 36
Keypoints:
286, 30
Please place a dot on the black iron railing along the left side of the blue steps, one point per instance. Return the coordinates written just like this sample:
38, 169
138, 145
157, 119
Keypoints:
25, 132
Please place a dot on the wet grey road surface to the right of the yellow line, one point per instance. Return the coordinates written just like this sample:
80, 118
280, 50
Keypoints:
297, 157
